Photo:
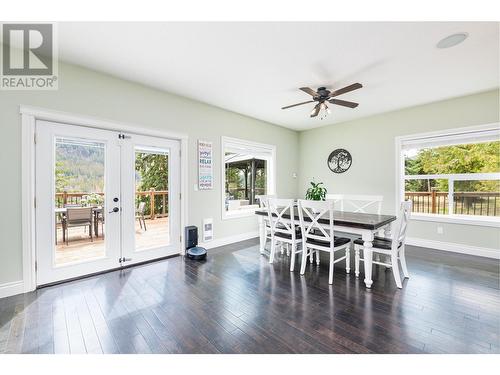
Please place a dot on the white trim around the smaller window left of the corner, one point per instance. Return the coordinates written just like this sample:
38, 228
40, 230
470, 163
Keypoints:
271, 175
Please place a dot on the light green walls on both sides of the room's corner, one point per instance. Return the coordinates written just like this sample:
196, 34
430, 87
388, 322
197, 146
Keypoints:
370, 140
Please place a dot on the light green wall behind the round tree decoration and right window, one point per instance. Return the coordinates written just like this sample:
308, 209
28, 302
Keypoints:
371, 141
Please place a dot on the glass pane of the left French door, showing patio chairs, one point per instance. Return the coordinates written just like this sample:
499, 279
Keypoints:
79, 199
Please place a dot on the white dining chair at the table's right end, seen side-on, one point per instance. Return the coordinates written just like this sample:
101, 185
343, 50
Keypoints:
393, 247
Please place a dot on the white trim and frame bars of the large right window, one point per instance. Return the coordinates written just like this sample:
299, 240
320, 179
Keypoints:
486, 221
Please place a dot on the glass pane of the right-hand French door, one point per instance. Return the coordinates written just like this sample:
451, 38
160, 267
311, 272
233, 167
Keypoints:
151, 198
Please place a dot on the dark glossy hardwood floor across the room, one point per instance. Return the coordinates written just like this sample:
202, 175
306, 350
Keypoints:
236, 302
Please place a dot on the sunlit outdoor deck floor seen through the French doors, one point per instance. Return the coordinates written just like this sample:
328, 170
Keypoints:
80, 247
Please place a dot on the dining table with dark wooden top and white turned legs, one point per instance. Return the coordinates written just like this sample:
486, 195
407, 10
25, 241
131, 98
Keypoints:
366, 225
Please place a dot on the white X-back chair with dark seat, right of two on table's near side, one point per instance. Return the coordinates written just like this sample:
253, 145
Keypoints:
316, 237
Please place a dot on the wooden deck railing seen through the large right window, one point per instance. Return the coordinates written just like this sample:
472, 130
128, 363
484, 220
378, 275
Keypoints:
464, 203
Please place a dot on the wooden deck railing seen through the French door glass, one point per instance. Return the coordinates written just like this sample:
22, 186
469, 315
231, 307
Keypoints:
156, 201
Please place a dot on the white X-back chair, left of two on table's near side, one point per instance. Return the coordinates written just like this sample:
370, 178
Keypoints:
283, 230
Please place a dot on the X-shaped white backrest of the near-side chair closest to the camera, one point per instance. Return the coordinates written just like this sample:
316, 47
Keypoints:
309, 214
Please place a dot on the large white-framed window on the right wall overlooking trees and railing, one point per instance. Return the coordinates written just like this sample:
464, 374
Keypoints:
452, 176
